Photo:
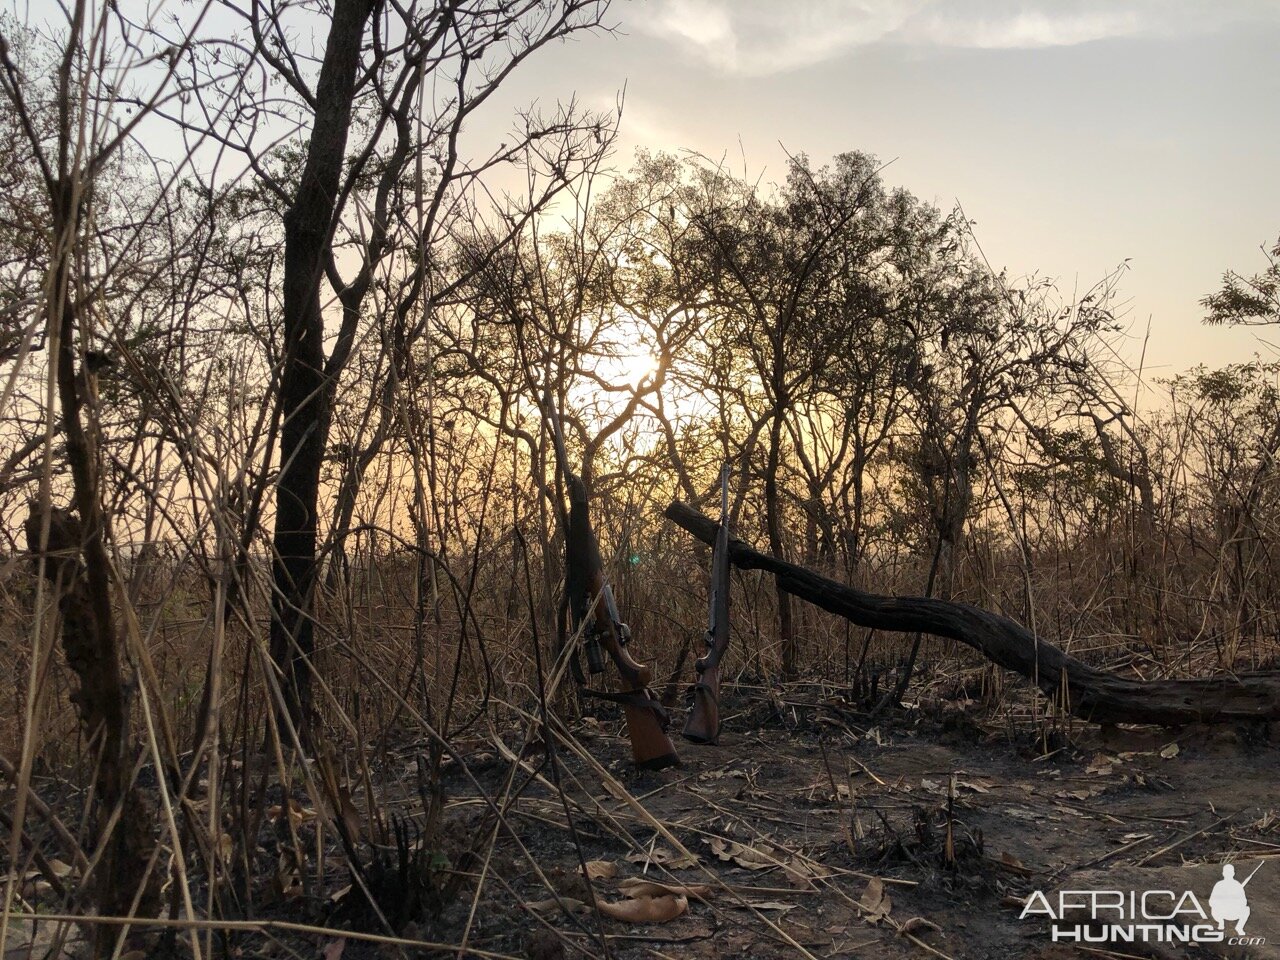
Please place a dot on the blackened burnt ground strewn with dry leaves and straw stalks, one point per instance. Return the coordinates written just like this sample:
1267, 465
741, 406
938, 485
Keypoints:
817, 833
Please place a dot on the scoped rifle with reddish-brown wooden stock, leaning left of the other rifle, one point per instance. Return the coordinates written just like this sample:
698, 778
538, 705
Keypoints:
595, 612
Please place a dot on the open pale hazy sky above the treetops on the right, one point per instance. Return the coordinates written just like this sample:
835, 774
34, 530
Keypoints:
1077, 135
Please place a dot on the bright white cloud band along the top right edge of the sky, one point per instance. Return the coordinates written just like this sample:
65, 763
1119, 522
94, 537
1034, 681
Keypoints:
757, 38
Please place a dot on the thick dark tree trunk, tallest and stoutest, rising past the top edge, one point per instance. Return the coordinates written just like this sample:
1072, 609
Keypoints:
307, 400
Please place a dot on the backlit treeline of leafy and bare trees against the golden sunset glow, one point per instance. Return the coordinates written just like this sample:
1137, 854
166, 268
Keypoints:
894, 410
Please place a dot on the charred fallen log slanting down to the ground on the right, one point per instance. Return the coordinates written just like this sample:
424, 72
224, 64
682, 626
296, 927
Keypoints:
1092, 694
